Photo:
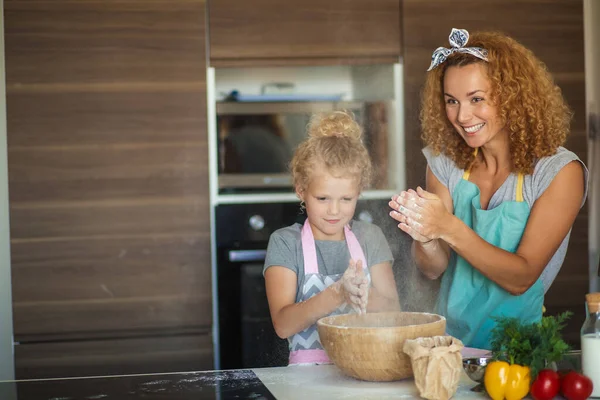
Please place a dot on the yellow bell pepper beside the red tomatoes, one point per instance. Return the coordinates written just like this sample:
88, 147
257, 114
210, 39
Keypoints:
505, 381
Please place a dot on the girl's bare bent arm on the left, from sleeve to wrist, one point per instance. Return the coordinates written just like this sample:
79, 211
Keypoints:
290, 317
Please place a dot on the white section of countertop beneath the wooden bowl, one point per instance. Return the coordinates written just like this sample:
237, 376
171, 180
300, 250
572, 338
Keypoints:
326, 382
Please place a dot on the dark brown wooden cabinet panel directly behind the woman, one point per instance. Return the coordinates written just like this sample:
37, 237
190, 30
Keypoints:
553, 30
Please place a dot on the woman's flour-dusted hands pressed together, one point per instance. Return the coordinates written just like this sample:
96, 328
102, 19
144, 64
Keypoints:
421, 214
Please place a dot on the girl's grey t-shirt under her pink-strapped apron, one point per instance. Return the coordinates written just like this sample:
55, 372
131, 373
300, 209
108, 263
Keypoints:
333, 257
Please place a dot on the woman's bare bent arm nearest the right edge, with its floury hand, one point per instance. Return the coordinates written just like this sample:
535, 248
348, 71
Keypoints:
550, 220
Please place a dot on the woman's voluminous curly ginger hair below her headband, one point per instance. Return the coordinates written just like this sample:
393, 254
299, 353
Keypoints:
528, 101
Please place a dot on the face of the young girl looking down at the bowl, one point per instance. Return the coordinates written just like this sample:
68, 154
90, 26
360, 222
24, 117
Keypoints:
330, 203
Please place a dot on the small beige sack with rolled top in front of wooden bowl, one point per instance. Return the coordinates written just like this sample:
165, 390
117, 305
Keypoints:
437, 365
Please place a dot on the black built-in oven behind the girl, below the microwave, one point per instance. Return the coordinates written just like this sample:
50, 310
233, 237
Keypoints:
246, 335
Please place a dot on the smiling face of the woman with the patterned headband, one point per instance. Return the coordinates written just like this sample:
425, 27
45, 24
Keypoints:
467, 95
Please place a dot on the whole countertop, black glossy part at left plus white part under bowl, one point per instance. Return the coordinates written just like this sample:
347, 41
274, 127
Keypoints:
281, 383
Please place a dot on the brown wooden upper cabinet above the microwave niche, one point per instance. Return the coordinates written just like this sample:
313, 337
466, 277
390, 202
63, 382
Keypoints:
271, 32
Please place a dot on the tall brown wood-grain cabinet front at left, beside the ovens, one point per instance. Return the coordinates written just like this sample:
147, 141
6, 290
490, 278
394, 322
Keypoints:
108, 172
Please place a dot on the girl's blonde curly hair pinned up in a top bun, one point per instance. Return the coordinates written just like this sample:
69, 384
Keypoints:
334, 142
